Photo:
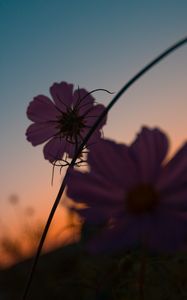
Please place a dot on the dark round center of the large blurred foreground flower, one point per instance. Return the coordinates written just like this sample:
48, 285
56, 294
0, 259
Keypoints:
142, 198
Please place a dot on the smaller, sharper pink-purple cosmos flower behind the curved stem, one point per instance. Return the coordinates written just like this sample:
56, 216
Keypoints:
63, 122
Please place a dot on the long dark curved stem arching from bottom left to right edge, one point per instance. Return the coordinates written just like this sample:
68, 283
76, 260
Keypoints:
114, 100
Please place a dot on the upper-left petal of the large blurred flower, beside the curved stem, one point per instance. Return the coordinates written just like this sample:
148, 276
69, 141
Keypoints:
113, 162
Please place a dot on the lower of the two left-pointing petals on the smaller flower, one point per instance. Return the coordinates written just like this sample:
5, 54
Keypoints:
39, 133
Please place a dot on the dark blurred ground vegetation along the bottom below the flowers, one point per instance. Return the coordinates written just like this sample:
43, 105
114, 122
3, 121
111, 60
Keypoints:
69, 273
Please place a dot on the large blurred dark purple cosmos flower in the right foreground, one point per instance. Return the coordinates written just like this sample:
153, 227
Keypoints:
141, 198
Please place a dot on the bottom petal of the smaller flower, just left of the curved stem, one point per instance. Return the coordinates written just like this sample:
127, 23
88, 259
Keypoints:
54, 149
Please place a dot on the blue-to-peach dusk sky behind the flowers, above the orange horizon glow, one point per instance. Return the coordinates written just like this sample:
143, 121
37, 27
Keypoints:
93, 44
